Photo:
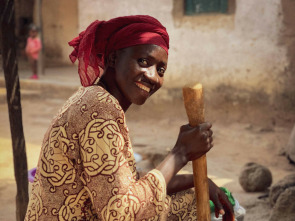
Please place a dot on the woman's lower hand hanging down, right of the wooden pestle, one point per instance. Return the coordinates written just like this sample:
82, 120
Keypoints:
221, 202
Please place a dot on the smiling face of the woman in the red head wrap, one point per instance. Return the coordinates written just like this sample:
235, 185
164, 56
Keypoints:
140, 71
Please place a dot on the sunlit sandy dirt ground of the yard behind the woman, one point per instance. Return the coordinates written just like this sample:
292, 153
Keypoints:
242, 134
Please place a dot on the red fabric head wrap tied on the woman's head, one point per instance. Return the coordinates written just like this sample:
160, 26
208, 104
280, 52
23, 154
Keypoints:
100, 38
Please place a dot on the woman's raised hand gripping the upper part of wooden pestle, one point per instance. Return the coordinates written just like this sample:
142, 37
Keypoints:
193, 142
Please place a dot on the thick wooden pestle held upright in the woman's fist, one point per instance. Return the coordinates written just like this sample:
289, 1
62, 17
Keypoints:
194, 105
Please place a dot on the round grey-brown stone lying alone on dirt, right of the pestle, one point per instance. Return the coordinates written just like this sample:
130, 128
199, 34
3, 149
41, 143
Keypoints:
255, 177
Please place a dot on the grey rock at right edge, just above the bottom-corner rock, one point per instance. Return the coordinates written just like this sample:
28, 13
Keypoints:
277, 189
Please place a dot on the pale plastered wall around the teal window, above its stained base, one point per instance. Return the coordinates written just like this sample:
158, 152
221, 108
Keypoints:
241, 52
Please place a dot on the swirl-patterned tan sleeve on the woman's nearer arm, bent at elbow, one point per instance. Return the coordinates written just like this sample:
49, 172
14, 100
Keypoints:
115, 192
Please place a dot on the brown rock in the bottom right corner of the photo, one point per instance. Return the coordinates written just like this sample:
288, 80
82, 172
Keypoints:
284, 209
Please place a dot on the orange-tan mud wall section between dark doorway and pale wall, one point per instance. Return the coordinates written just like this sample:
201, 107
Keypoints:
60, 25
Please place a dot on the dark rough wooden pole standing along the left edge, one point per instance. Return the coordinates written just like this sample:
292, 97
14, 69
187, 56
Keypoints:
8, 49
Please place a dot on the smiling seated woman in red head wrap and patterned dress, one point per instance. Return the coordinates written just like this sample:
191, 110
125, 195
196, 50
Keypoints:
86, 169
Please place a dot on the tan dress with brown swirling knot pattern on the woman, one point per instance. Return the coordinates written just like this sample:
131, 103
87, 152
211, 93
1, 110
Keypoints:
86, 169
